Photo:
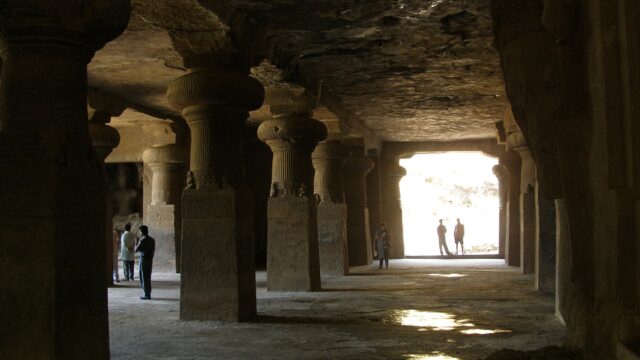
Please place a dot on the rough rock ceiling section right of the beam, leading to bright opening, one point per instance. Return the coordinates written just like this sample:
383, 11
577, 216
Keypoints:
407, 69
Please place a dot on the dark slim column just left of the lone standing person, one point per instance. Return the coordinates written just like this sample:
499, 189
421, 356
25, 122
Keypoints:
358, 234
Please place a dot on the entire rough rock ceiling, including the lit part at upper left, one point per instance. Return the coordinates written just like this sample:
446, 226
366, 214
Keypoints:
402, 70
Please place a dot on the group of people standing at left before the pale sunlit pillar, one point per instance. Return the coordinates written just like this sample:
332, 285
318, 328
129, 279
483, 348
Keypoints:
129, 244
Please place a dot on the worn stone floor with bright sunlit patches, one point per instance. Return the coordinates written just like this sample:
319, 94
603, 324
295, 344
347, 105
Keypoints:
417, 309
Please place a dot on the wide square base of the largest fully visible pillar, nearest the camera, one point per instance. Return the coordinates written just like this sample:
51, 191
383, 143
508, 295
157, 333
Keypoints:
218, 271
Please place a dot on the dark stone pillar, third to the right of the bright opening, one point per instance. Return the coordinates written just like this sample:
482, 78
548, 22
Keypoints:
545, 270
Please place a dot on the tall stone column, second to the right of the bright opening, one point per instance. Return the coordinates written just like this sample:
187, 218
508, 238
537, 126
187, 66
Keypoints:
516, 142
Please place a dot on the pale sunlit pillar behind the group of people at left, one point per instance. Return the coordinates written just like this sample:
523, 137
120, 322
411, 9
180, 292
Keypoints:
168, 168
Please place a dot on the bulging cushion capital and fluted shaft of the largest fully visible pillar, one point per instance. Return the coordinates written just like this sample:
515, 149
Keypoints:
215, 104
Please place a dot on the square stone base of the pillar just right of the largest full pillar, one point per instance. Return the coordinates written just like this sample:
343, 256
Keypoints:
292, 249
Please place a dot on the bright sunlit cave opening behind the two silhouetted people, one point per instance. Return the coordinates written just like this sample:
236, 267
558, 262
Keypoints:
448, 186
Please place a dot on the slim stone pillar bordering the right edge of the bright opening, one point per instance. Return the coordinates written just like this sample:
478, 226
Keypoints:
511, 162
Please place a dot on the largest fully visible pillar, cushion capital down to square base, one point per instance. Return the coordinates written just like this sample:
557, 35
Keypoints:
217, 267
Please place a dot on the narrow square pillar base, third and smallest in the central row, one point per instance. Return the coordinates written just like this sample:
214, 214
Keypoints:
332, 239
